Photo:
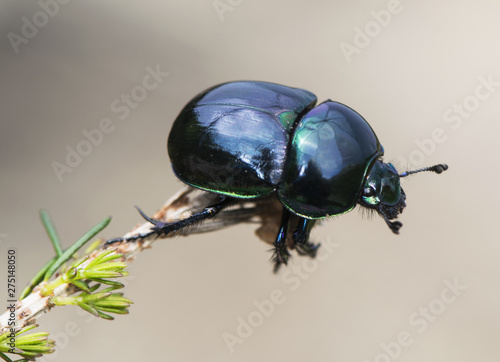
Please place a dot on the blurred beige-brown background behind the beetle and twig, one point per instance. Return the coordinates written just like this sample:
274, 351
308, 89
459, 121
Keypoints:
414, 70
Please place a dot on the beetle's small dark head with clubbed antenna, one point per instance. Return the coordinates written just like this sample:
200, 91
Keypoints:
382, 191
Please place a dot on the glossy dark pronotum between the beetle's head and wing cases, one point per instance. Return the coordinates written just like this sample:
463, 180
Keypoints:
331, 152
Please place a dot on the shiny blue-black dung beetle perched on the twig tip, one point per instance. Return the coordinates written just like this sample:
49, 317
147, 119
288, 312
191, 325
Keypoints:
250, 140
